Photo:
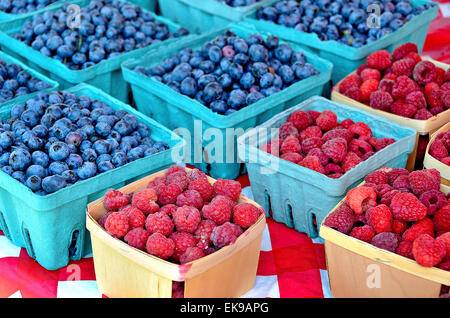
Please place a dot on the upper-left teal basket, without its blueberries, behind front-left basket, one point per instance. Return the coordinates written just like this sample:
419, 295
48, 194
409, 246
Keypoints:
105, 75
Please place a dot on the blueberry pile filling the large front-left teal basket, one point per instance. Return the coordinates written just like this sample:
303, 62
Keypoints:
57, 139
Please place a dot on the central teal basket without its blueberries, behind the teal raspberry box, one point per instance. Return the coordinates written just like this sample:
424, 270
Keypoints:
174, 110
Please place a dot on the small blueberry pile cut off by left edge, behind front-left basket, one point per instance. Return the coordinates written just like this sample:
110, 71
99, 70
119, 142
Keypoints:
15, 81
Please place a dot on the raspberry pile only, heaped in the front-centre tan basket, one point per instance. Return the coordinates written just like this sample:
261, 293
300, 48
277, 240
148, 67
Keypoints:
180, 217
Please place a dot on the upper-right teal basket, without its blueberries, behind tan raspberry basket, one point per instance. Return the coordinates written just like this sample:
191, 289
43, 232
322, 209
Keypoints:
347, 58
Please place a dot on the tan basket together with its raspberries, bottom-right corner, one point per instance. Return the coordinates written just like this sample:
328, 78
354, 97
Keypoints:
399, 220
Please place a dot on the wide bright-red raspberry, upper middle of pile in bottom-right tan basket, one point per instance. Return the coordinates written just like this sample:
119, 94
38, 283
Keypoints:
406, 207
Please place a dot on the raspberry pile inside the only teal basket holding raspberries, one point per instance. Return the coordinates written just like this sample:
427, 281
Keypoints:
316, 140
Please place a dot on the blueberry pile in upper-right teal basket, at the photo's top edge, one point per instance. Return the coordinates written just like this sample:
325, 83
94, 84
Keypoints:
344, 21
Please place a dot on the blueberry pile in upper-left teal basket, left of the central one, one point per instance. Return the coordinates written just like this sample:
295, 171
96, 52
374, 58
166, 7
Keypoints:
107, 29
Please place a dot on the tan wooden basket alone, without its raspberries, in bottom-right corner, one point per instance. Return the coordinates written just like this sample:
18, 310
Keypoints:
357, 269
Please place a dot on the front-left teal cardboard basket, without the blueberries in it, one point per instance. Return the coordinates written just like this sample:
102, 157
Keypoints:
49, 226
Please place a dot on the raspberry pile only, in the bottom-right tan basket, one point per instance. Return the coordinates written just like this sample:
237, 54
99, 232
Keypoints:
402, 212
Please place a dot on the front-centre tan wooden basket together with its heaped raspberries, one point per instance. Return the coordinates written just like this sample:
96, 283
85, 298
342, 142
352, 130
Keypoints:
184, 230
